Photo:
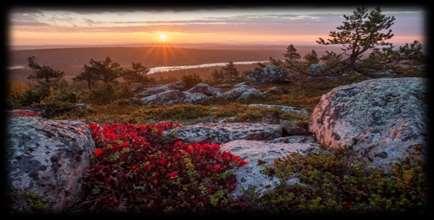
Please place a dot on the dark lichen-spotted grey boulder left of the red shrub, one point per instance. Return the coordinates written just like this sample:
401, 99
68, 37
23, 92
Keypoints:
47, 160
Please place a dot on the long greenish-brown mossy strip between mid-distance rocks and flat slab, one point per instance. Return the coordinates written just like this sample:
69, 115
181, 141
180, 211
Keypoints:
179, 112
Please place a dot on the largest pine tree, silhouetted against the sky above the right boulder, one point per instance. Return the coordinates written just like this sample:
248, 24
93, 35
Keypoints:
360, 32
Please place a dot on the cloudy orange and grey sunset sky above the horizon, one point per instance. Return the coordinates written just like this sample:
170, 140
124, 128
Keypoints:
264, 26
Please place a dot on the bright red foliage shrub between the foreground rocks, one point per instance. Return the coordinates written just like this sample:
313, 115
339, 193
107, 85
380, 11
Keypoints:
135, 169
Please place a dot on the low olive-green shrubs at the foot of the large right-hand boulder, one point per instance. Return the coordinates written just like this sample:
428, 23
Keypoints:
332, 183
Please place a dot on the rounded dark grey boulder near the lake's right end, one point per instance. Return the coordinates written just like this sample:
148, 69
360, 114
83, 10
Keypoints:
268, 74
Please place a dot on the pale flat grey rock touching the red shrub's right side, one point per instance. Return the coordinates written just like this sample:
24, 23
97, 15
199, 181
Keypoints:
258, 155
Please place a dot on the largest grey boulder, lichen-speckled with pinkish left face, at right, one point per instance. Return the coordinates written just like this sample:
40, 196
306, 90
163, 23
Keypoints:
382, 120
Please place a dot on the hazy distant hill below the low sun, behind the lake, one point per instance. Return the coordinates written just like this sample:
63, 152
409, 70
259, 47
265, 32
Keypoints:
71, 60
